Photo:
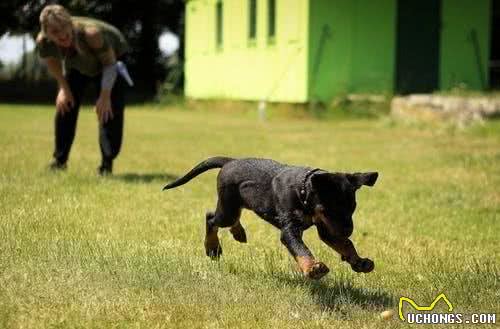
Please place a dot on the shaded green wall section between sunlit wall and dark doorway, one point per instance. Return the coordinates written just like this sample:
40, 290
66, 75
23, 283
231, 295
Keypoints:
351, 47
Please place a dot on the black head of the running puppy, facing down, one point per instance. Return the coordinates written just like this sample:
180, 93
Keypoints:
337, 199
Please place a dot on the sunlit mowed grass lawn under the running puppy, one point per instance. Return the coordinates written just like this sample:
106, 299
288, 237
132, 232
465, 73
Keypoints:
78, 250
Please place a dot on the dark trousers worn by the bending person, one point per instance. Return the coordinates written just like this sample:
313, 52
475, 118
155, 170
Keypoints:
110, 133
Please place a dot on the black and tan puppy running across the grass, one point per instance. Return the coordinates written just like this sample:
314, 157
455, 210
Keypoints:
290, 198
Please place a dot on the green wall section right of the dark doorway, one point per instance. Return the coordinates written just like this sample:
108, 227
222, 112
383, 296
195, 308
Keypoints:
460, 62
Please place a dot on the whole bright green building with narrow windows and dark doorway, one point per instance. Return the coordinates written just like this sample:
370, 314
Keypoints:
312, 50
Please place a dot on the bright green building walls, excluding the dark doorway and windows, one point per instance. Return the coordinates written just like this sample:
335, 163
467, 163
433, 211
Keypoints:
323, 48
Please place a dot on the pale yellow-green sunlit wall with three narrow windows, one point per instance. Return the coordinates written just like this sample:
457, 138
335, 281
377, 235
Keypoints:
275, 71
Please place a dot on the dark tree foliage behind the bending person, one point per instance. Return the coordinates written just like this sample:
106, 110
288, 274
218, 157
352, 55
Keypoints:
141, 22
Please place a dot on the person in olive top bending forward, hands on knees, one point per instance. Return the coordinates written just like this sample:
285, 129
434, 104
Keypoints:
80, 51
